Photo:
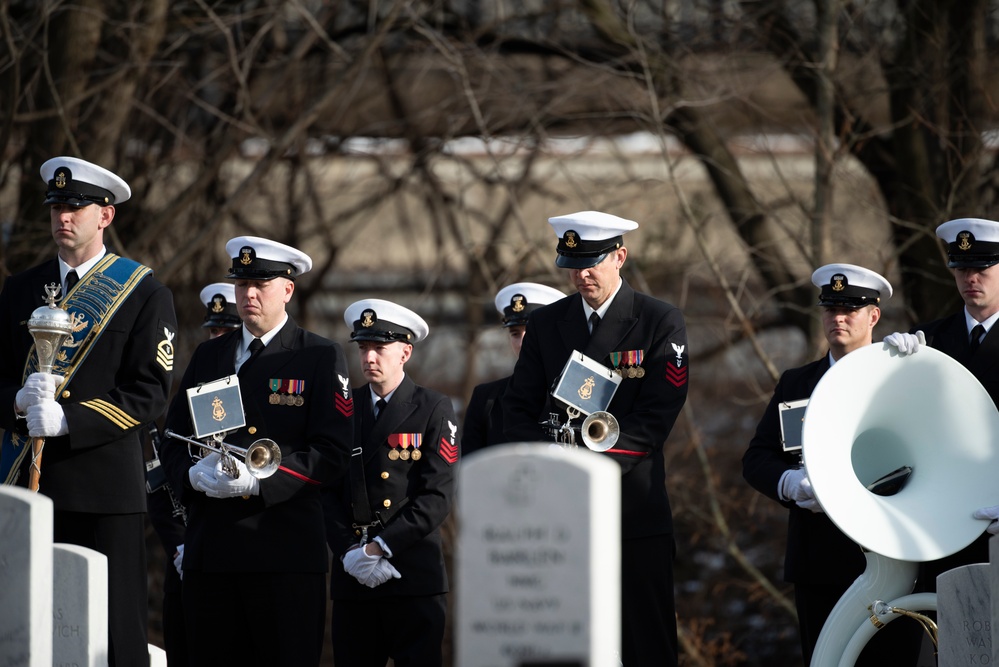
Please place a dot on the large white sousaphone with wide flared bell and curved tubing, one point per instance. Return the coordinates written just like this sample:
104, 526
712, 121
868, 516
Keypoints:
876, 412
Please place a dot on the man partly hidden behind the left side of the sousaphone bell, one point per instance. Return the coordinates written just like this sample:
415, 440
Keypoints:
820, 560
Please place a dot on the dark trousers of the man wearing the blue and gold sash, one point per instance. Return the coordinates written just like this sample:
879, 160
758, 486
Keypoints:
120, 537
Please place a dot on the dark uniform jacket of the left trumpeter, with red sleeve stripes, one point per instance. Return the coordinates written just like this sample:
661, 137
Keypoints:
281, 529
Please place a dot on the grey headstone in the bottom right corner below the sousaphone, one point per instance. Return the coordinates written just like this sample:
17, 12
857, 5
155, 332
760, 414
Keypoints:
964, 616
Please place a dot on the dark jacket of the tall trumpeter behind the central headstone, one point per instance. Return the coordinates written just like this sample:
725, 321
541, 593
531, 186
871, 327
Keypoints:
645, 407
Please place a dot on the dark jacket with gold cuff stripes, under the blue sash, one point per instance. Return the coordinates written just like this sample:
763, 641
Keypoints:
119, 388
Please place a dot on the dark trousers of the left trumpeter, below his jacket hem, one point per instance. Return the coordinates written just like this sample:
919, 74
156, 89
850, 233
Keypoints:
265, 619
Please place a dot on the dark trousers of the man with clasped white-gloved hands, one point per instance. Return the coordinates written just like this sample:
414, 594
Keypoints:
410, 630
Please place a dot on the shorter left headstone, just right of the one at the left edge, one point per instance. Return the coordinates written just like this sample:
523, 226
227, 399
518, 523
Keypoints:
80, 607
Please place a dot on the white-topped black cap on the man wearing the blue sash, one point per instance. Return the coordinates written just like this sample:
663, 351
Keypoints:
79, 183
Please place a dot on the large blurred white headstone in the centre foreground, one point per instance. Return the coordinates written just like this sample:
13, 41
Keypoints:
538, 559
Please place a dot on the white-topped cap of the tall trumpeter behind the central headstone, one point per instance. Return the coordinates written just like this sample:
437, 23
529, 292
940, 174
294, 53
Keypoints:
585, 238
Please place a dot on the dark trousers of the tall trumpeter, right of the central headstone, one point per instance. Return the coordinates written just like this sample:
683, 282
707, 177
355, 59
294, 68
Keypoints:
648, 610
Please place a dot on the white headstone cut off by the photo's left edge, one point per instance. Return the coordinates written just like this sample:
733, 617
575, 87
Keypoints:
25, 578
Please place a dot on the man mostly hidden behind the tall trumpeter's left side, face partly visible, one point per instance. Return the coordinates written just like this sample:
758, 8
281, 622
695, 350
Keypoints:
483, 423
